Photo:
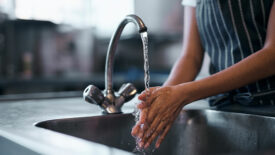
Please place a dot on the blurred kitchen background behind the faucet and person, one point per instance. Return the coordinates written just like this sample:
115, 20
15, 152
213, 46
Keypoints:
60, 45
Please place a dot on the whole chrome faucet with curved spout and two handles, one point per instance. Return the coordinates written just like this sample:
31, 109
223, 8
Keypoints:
108, 100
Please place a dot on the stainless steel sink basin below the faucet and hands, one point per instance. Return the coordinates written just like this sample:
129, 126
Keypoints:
194, 132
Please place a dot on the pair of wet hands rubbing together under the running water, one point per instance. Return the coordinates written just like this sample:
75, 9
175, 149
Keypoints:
160, 106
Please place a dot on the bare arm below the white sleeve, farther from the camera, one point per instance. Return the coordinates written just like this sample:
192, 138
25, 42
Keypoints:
188, 65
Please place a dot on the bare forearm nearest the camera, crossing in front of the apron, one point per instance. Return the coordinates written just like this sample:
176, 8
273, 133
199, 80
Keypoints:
255, 67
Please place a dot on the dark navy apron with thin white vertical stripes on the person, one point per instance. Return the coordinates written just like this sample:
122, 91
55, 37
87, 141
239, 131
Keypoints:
231, 30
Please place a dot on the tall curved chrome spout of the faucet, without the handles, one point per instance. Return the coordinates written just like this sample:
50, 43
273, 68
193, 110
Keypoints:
112, 48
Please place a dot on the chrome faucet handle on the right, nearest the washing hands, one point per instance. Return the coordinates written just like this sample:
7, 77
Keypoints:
127, 91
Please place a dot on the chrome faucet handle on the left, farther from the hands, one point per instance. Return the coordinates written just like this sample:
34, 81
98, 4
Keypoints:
93, 95
